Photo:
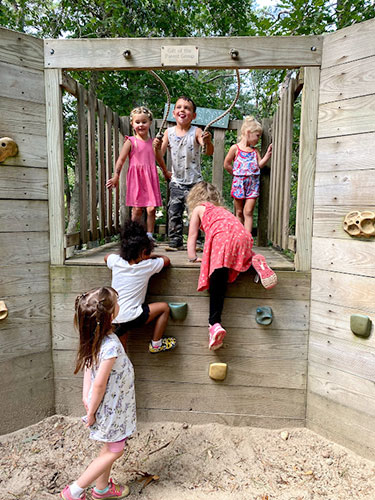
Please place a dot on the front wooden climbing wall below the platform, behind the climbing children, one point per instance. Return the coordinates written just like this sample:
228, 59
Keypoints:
266, 382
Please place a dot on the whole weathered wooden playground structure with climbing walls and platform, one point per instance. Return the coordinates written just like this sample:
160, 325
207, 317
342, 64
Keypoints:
305, 369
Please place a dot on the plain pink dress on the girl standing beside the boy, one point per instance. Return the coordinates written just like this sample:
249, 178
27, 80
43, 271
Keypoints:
142, 180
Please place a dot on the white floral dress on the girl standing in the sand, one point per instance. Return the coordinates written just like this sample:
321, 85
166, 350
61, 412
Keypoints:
116, 414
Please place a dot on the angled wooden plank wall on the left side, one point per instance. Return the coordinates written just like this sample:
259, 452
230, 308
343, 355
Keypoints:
26, 373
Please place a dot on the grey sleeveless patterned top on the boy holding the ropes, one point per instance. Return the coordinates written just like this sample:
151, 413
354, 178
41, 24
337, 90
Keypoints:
185, 155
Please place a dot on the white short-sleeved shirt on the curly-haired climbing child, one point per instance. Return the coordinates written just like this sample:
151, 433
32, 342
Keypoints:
131, 281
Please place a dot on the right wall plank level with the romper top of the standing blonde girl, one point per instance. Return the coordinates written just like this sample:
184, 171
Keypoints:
349, 152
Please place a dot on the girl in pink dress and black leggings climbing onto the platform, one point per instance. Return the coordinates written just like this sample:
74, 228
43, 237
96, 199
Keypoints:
227, 252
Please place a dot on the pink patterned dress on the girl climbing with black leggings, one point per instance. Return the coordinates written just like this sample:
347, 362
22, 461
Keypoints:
227, 244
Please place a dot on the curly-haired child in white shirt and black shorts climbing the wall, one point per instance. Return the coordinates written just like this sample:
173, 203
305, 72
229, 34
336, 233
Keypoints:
131, 271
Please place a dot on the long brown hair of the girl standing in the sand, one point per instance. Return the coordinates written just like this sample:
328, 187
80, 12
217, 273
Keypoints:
93, 320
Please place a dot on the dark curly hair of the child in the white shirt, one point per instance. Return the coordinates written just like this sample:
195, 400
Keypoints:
134, 241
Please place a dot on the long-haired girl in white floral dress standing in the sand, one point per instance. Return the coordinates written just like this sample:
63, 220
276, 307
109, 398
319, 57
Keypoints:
108, 392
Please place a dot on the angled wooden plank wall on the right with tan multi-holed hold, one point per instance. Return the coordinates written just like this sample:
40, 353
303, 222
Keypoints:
341, 390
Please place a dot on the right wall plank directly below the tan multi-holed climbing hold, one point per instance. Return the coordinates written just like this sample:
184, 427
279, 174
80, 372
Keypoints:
349, 256
